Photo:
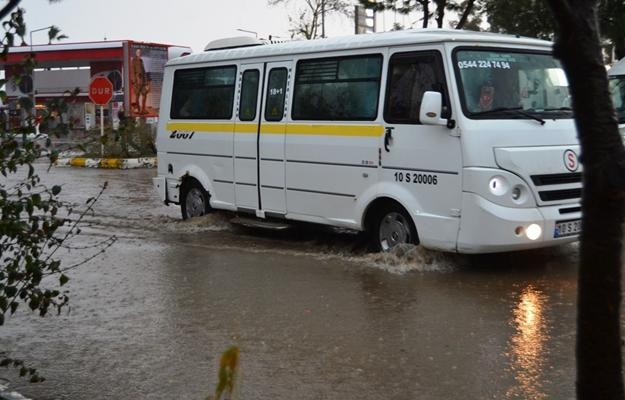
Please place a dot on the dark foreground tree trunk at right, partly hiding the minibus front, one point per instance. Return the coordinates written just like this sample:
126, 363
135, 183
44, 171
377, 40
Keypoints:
577, 45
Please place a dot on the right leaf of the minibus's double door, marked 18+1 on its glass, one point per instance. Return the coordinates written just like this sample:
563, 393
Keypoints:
272, 139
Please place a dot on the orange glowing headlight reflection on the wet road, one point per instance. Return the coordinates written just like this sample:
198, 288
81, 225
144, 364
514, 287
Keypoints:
528, 346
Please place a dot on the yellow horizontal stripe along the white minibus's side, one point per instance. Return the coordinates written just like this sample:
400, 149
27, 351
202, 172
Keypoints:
280, 129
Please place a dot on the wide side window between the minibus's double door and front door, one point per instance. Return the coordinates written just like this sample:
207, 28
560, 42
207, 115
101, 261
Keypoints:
346, 88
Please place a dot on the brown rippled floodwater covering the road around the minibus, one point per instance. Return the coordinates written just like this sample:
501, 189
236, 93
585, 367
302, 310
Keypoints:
315, 316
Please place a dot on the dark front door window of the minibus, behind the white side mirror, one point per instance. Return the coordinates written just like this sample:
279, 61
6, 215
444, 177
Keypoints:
410, 75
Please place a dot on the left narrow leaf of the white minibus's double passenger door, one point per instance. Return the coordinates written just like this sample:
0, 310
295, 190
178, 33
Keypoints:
246, 138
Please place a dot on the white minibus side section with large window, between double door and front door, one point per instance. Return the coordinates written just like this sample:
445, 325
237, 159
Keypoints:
332, 151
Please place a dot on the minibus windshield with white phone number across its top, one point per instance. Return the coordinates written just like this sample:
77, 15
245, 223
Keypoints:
504, 84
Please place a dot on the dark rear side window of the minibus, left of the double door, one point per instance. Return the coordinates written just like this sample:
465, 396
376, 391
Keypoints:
203, 93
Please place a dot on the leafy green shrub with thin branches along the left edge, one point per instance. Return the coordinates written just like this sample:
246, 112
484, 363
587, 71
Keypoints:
35, 223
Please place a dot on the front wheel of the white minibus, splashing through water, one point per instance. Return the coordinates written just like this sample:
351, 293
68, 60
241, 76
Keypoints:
392, 226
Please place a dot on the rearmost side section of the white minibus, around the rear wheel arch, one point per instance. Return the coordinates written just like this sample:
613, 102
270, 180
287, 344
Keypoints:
189, 144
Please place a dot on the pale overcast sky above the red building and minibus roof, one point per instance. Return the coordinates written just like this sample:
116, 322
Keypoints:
181, 22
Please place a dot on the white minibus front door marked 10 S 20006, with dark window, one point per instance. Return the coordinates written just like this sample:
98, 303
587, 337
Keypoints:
426, 160
